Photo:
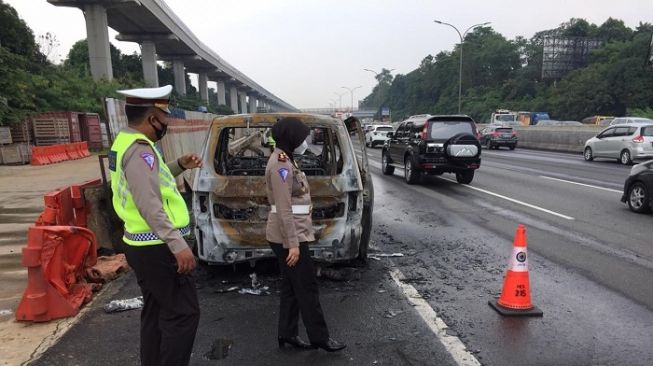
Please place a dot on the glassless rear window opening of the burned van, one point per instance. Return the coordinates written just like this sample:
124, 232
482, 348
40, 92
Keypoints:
245, 152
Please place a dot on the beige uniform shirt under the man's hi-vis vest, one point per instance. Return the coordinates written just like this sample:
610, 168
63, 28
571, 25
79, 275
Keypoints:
145, 188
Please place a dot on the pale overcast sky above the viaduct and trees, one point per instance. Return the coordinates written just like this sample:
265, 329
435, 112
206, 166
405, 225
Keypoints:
304, 51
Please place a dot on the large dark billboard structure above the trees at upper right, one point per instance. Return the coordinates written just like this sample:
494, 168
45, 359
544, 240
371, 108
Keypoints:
562, 54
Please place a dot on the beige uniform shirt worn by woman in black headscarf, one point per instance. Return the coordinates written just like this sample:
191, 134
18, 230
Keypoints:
287, 186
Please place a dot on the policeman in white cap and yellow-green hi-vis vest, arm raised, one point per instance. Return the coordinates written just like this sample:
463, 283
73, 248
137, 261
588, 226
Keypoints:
146, 198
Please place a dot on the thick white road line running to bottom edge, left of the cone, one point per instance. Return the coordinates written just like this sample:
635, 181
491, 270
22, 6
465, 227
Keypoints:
452, 344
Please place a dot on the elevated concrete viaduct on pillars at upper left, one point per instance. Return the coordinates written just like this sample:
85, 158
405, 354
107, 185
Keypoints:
164, 37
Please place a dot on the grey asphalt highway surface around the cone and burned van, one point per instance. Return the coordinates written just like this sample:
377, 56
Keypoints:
590, 261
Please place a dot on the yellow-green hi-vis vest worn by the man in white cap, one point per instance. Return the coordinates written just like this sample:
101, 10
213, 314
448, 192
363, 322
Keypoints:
137, 231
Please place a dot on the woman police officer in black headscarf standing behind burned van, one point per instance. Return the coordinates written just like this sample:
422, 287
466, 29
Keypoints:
289, 230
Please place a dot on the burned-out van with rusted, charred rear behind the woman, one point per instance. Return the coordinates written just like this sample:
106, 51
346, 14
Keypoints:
230, 205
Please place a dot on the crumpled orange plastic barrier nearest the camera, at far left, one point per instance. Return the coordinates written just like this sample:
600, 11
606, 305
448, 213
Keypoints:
57, 259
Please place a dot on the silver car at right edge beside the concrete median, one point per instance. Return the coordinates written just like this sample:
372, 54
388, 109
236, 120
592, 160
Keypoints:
625, 142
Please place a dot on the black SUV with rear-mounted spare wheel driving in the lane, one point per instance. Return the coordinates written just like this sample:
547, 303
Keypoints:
433, 145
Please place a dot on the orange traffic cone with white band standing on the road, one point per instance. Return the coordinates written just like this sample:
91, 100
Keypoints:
516, 294
